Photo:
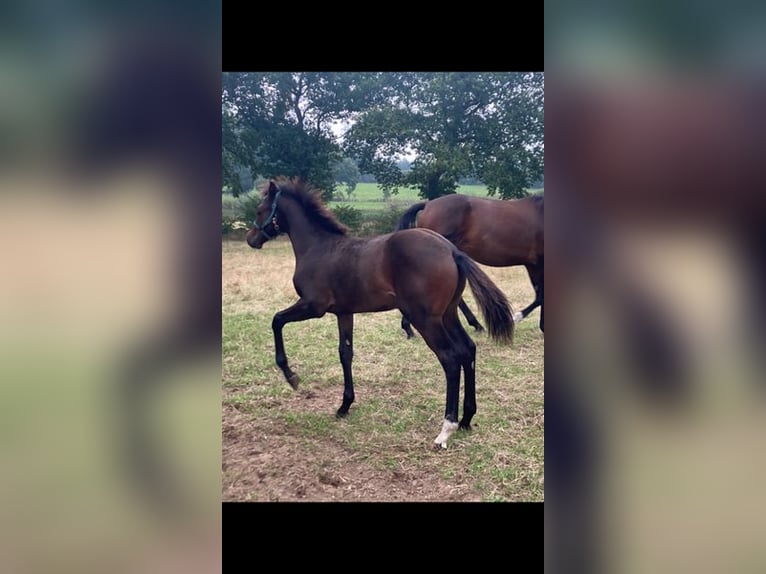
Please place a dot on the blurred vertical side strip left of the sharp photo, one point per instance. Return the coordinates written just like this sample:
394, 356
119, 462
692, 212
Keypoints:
109, 298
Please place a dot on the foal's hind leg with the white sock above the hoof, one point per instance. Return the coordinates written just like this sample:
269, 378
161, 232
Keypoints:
438, 340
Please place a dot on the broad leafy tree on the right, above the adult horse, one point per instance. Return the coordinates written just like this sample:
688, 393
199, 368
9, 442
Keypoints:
484, 125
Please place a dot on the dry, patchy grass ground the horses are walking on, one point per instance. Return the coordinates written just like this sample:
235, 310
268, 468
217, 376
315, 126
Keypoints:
280, 444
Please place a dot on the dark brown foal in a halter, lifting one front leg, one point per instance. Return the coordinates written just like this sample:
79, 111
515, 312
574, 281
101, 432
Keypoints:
416, 271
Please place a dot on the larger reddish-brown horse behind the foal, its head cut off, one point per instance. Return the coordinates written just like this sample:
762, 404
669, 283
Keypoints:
492, 232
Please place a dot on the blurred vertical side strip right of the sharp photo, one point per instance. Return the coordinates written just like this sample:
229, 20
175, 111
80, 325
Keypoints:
655, 373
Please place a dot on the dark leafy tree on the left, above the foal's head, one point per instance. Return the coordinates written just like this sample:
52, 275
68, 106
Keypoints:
281, 123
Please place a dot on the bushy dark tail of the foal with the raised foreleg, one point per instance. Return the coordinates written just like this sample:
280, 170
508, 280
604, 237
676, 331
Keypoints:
494, 305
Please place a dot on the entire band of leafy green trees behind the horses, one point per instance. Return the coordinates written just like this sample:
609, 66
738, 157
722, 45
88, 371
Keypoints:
487, 126
